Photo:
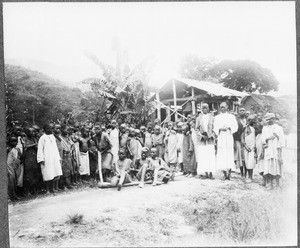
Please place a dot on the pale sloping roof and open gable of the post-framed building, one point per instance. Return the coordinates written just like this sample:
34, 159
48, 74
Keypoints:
200, 88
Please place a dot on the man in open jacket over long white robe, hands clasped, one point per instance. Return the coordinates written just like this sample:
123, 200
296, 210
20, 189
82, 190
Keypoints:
205, 147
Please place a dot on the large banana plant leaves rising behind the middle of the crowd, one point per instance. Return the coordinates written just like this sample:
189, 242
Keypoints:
128, 93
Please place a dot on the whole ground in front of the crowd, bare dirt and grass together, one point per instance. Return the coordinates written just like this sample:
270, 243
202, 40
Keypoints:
164, 215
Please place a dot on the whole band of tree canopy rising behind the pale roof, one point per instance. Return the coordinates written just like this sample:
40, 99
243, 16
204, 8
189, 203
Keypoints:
241, 75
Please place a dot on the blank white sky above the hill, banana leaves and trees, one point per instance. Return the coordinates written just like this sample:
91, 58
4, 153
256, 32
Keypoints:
59, 33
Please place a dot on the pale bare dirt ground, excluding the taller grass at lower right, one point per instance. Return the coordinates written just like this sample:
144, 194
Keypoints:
152, 216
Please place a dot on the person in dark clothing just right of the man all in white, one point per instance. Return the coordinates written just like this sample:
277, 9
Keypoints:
239, 156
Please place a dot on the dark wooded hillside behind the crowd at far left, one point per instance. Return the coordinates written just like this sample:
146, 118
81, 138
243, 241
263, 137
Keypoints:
32, 96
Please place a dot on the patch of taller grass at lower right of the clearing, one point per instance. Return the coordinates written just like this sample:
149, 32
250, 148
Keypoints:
243, 219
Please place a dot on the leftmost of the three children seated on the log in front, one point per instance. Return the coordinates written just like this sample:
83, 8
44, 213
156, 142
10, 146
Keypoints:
121, 170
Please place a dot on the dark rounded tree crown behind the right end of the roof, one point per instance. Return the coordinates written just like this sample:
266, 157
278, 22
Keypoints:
245, 75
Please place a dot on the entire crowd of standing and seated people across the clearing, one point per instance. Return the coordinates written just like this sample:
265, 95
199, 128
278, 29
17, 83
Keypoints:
61, 156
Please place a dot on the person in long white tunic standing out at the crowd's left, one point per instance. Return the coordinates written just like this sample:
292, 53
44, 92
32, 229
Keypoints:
49, 159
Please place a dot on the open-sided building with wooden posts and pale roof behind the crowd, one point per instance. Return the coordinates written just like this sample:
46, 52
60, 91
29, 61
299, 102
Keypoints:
181, 95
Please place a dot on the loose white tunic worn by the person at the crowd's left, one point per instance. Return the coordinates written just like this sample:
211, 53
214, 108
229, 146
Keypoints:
48, 152
